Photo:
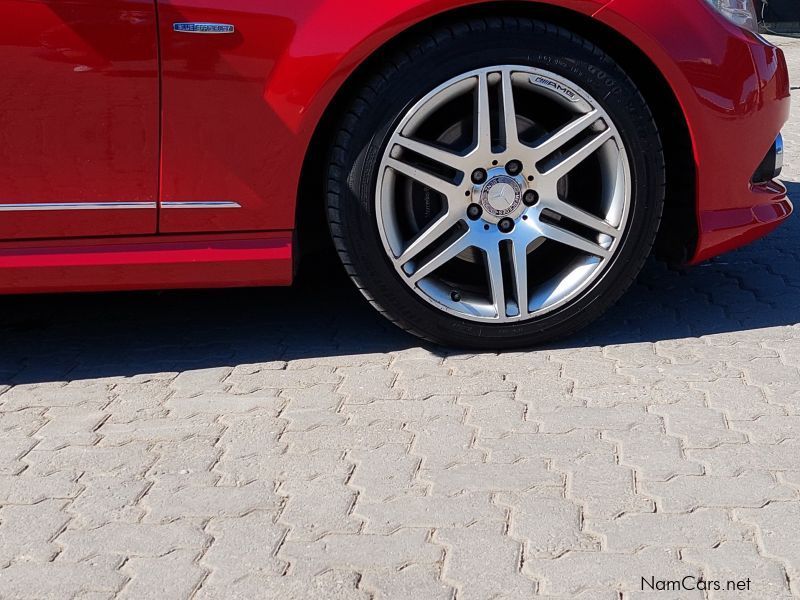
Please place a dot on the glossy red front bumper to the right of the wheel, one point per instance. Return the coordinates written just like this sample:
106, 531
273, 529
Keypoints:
733, 88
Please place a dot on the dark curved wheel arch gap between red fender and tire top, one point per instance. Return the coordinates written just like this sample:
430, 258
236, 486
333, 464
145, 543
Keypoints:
678, 234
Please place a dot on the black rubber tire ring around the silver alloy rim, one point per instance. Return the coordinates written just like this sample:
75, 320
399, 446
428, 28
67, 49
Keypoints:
407, 76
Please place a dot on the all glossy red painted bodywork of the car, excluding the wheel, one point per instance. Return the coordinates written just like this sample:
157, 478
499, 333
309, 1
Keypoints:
79, 105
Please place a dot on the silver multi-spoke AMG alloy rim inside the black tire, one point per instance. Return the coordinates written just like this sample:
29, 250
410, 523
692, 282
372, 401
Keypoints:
504, 196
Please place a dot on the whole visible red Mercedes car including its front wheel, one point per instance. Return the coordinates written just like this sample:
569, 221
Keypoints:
494, 174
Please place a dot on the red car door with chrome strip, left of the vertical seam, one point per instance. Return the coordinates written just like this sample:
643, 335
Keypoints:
79, 118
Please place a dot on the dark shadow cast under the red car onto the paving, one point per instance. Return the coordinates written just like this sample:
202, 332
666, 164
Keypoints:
88, 336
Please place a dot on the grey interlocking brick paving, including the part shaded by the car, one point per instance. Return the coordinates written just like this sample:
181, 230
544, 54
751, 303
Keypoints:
289, 444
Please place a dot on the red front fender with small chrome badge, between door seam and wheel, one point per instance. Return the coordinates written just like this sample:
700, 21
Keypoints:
236, 105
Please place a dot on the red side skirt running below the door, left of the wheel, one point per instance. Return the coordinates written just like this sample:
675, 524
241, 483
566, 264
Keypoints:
169, 262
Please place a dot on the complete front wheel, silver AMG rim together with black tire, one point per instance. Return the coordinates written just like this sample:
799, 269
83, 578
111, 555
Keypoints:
497, 185
